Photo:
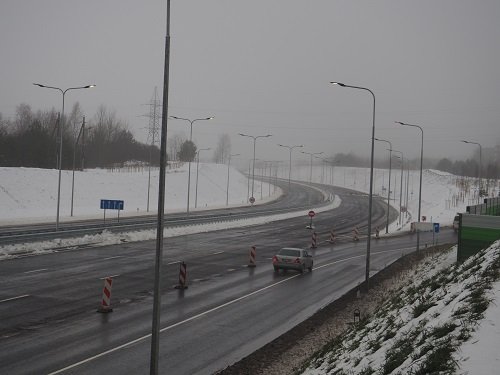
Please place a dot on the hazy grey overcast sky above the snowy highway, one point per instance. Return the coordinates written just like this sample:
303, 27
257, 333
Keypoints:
264, 66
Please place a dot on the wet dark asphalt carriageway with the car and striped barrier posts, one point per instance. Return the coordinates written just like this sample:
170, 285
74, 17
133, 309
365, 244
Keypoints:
48, 303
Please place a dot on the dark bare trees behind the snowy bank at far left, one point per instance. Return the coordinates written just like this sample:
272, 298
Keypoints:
32, 140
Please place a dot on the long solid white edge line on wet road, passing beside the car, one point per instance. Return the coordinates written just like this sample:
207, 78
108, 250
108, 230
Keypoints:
194, 317
